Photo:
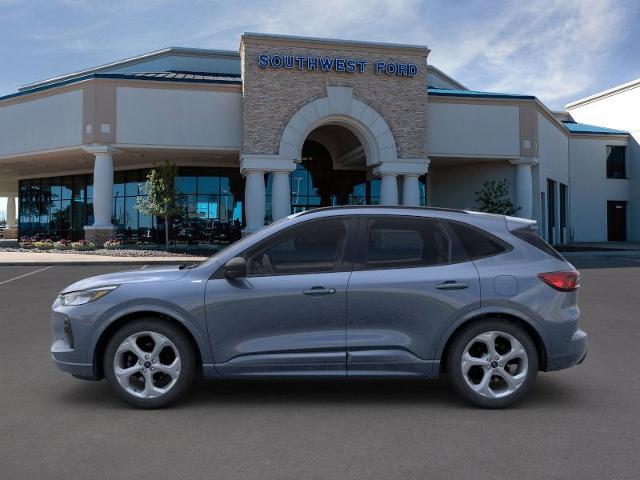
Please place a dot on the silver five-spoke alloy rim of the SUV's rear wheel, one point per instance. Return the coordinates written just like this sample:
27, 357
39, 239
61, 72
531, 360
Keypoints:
494, 364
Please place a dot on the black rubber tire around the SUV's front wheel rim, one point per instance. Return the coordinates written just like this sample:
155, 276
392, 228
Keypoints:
181, 343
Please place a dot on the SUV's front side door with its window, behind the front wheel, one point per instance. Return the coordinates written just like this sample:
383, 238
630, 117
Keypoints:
287, 316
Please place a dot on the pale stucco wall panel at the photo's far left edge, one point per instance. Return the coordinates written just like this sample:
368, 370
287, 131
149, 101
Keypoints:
42, 124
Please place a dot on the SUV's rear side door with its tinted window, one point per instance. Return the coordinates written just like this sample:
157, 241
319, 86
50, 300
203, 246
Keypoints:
409, 284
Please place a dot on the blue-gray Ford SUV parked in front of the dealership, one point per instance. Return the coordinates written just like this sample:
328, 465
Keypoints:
335, 292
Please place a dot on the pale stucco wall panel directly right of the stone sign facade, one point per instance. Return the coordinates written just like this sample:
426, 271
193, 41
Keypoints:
466, 129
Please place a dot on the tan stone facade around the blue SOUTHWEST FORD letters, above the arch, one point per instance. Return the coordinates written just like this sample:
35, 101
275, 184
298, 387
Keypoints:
271, 96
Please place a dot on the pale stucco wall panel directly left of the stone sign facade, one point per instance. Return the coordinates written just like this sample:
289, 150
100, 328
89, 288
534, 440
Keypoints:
172, 117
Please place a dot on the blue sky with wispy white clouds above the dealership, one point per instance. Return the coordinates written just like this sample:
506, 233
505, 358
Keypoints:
557, 50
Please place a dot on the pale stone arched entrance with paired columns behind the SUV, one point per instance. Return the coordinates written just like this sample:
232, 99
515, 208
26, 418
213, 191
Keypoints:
335, 150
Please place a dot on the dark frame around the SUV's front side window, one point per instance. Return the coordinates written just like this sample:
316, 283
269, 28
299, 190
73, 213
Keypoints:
344, 264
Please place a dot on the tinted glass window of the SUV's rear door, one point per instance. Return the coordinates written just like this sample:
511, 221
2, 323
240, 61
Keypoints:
406, 242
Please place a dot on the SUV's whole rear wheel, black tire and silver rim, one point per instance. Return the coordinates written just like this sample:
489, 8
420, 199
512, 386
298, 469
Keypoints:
492, 363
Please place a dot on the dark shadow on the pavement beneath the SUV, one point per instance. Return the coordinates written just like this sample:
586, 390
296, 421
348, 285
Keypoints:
316, 392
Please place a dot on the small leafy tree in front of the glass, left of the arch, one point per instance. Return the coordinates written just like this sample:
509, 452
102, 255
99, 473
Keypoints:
160, 193
